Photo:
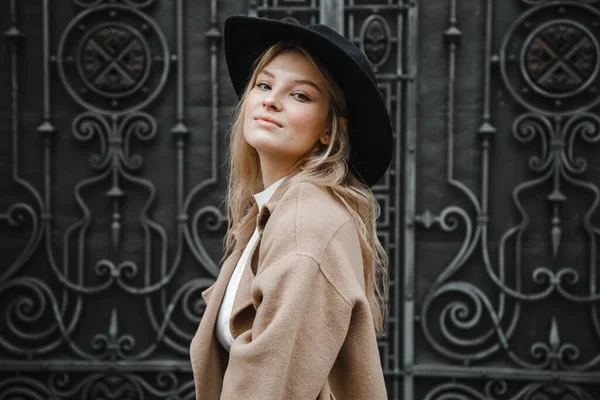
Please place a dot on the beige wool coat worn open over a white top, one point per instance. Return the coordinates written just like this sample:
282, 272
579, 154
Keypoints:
301, 321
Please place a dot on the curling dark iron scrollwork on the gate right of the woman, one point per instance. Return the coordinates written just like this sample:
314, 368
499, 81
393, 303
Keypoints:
554, 81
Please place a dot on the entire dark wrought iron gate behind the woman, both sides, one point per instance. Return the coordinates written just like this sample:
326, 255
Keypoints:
114, 113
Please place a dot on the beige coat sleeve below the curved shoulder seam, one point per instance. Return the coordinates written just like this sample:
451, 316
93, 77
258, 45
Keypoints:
300, 325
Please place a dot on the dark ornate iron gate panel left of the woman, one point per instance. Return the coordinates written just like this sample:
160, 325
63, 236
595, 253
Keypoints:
110, 215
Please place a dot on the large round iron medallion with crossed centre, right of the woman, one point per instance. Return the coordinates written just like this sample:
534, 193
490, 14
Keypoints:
549, 58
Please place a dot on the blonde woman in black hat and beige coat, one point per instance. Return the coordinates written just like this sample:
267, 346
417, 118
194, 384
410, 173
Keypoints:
301, 295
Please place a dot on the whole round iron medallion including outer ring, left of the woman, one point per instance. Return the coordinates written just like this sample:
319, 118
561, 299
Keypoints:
108, 69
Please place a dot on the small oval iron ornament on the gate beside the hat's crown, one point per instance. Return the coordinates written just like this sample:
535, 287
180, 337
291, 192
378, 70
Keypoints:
376, 40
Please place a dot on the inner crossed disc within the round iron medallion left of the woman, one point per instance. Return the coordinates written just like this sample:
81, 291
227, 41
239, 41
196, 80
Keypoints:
114, 60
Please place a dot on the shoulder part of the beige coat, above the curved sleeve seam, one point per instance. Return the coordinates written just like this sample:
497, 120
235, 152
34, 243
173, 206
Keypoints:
309, 221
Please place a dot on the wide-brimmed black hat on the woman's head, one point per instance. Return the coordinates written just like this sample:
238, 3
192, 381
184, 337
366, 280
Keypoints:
370, 129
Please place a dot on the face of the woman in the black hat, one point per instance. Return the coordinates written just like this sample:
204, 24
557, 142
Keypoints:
285, 113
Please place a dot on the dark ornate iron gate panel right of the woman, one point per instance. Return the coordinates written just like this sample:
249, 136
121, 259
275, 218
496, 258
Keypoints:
506, 224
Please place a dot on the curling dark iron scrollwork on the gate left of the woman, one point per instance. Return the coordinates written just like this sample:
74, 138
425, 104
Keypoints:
113, 60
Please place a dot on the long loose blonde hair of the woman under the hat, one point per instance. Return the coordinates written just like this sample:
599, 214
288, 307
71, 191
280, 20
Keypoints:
325, 166
